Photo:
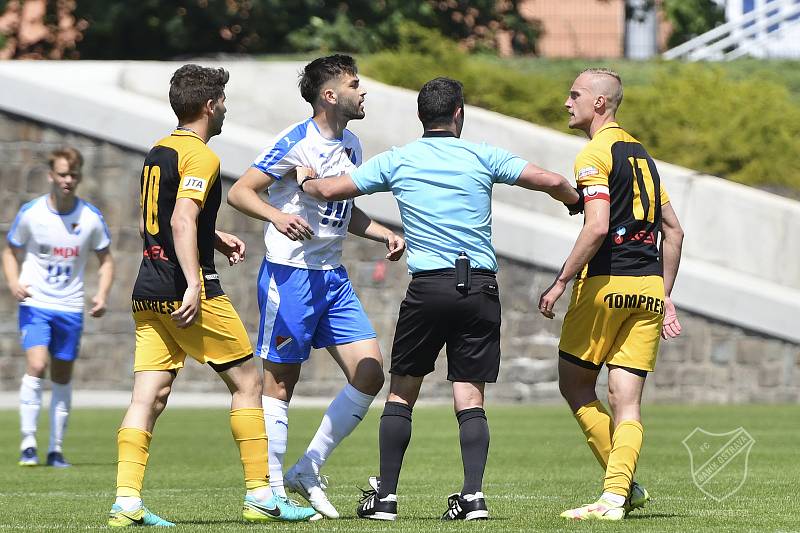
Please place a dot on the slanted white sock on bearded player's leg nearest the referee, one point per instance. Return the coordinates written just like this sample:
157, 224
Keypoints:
344, 413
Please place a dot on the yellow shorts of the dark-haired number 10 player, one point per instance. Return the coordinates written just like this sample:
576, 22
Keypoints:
217, 336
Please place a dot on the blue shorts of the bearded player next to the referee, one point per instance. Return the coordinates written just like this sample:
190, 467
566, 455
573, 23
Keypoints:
301, 308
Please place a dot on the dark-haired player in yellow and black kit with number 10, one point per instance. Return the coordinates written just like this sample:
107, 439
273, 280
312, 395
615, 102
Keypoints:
179, 307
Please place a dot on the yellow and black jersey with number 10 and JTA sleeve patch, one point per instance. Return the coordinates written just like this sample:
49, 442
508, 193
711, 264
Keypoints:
178, 166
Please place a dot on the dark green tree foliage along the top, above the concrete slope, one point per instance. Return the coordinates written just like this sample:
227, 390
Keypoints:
154, 29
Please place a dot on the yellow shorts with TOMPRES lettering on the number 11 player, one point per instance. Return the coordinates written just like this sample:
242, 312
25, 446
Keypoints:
614, 320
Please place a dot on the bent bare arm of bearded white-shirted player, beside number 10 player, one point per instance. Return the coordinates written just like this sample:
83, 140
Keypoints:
244, 196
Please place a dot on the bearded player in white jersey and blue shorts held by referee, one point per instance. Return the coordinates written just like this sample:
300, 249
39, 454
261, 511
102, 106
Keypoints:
305, 296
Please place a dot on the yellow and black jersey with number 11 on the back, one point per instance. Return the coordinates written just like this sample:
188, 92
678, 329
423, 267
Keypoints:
615, 167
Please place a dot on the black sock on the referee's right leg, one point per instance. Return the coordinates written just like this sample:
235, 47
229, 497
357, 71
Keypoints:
473, 431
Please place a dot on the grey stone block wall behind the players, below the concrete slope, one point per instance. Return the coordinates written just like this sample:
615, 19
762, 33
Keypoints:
711, 361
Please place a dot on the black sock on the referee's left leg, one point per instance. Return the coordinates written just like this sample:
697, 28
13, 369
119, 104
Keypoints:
394, 436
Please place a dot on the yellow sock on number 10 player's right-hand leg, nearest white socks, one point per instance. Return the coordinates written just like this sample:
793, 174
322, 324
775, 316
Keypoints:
247, 426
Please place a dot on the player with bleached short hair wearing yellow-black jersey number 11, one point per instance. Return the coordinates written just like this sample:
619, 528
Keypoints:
620, 300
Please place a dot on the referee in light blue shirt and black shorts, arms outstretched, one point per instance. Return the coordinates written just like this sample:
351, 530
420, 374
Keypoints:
443, 187
